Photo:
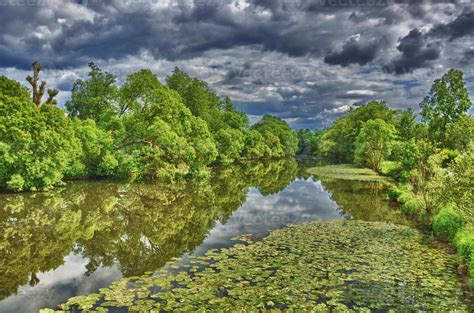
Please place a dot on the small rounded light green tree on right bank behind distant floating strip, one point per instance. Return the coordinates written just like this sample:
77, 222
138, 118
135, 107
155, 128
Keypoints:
374, 143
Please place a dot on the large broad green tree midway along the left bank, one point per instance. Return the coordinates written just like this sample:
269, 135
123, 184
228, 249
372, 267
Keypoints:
162, 139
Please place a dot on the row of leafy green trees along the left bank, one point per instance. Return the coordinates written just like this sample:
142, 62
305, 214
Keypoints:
141, 130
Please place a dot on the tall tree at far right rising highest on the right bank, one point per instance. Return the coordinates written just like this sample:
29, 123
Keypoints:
447, 101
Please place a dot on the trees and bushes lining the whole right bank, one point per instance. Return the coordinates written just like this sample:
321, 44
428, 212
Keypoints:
430, 157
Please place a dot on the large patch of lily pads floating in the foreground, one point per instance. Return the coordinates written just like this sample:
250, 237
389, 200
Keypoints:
338, 265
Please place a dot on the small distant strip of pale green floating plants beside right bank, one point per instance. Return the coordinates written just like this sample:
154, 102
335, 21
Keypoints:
347, 172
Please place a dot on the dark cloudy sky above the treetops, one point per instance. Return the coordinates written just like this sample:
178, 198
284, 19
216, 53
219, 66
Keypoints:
307, 61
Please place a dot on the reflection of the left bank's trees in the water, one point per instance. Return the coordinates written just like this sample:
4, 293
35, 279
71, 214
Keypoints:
140, 227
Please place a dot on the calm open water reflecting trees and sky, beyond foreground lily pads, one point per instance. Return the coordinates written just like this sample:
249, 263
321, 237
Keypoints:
86, 235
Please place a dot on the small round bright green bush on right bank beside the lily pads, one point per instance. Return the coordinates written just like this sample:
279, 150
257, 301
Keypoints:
448, 222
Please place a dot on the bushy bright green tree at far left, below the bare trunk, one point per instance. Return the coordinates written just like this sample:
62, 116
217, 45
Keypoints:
37, 145
